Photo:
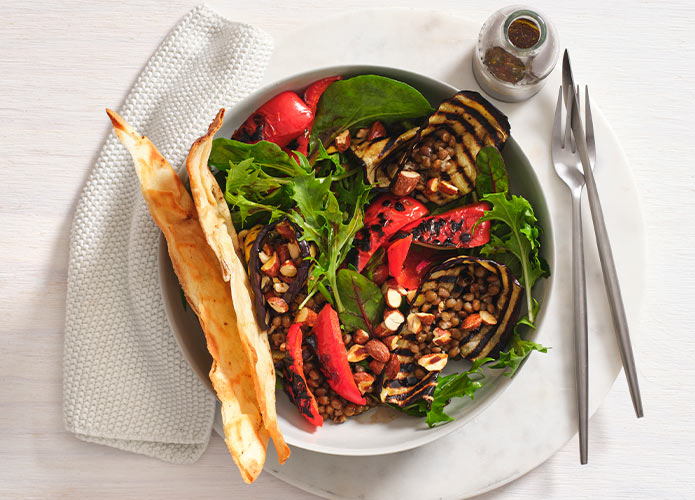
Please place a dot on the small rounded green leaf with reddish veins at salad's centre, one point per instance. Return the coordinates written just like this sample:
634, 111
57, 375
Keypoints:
362, 299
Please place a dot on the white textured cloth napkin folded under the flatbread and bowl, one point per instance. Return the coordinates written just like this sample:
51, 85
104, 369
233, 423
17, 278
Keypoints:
126, 384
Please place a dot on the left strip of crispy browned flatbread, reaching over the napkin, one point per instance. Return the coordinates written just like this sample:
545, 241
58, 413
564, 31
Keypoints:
199, 274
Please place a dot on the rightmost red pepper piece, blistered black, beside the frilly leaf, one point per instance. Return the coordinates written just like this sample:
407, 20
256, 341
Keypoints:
452, 229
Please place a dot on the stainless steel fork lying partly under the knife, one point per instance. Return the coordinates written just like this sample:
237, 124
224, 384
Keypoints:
568, 167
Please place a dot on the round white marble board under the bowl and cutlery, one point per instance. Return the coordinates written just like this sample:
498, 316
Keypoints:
529, 422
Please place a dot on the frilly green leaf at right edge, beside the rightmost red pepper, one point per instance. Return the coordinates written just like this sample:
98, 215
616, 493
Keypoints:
514, 230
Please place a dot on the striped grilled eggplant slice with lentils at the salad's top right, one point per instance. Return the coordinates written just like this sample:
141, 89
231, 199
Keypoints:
443, 150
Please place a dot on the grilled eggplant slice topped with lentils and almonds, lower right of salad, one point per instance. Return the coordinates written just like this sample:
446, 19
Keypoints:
465, 307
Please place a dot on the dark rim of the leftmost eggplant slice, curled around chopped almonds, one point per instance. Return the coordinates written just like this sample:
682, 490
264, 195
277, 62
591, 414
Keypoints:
255, 275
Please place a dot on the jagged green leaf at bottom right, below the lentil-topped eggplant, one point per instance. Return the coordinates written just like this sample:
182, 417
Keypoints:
456, 385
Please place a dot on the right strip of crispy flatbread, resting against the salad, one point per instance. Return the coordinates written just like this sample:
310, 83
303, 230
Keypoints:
216, 221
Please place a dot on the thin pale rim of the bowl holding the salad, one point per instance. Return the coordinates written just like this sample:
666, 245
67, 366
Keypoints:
233, 119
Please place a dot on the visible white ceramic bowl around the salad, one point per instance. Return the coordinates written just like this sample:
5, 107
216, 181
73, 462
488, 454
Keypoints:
381, 430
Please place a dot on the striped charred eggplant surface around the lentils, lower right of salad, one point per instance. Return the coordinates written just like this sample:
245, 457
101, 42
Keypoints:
456, 274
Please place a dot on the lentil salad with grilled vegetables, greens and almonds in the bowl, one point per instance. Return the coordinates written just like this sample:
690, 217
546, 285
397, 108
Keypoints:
382, 244
